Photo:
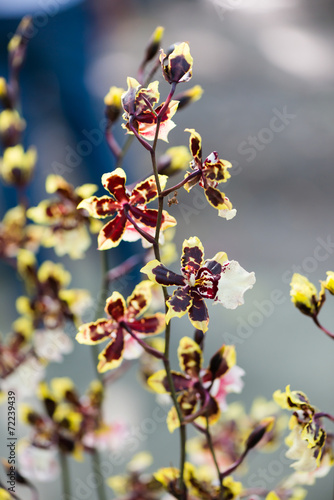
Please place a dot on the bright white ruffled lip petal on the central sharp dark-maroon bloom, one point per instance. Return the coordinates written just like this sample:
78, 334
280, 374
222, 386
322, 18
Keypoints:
233, 283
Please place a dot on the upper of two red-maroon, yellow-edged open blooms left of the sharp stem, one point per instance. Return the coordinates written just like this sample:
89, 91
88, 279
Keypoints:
127, 209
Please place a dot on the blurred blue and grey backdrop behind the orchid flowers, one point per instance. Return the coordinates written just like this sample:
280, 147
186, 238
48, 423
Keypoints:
268, 77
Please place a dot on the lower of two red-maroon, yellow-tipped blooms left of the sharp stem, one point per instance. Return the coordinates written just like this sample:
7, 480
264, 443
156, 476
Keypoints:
125, 326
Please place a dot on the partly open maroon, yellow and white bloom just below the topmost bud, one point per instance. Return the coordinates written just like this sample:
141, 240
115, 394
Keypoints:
140, 112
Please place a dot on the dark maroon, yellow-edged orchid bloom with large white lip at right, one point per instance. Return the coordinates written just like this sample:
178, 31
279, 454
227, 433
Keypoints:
219, 279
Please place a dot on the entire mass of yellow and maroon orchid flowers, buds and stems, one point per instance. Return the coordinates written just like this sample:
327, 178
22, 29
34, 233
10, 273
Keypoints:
213, 464
